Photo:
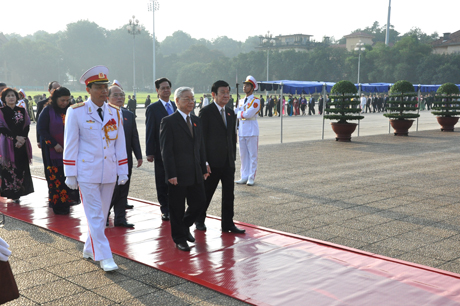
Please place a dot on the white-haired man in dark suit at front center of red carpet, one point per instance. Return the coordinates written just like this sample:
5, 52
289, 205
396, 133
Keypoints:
184, 159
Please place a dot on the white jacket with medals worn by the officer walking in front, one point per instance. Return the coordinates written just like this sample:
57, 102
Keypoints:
94, 151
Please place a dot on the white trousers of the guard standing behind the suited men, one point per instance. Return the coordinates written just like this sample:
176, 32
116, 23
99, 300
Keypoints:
249, 146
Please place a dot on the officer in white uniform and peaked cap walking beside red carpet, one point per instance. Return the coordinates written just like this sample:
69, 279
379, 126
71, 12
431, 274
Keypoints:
94, 154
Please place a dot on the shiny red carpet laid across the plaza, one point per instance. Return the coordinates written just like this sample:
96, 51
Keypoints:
263, 267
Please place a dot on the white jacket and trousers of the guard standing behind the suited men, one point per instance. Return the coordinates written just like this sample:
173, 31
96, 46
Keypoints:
248, 135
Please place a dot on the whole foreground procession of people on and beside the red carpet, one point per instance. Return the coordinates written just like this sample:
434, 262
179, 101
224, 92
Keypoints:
88, 147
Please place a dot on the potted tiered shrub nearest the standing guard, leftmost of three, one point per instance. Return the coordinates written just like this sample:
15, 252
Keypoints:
345, 107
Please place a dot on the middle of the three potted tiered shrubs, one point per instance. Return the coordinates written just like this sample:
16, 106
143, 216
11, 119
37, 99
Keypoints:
402, 103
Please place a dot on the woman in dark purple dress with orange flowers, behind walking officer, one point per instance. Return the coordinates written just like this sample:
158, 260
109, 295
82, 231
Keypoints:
51, 129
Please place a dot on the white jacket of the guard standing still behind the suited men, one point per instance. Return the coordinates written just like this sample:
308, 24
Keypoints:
247, 115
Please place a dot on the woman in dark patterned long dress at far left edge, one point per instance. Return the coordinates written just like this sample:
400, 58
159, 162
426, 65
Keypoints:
15, 148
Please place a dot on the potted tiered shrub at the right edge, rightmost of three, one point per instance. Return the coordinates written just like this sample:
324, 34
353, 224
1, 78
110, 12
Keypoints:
446, 107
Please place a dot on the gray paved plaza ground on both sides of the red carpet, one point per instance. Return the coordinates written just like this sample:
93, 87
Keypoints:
394, 196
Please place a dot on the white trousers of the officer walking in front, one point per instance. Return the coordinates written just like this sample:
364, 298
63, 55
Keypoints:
96, 200
